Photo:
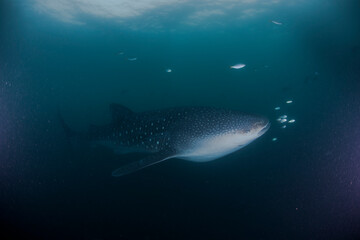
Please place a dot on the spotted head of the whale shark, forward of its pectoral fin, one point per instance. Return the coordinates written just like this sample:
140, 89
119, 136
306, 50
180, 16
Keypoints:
223, 133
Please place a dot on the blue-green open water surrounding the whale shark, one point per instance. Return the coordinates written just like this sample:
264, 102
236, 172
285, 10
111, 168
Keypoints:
298, 182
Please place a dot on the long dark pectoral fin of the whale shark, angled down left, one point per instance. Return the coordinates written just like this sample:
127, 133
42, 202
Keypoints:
143, 163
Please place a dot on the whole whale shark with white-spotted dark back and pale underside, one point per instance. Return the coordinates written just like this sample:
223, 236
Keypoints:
197, 134
